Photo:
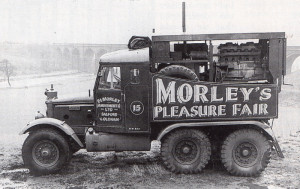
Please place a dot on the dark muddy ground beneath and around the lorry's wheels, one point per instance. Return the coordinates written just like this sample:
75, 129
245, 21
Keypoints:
145, 170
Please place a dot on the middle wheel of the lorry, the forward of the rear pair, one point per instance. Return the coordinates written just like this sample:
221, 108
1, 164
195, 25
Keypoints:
186, 151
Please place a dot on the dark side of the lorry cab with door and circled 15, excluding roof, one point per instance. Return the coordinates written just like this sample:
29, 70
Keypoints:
122, 97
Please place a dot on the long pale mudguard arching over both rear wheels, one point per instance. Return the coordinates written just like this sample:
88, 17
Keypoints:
264, 127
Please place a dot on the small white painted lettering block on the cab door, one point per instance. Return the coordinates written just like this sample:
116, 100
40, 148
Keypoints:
109, 109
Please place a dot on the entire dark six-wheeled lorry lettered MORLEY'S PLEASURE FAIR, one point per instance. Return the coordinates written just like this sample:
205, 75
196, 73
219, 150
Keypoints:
201, 96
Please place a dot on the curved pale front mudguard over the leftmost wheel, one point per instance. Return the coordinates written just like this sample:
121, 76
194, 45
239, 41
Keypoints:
51, 122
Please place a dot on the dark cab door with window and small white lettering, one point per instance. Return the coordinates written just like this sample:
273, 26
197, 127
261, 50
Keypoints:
109, 100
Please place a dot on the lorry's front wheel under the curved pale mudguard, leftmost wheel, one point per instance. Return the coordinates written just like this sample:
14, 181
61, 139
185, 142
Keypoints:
45, 151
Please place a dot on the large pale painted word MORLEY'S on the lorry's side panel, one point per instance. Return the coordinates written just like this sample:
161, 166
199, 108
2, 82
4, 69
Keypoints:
198, 93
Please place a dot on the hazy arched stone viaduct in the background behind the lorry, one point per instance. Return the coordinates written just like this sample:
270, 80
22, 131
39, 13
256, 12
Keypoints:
85, 57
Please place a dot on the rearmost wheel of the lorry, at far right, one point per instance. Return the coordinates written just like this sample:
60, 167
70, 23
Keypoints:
245, 152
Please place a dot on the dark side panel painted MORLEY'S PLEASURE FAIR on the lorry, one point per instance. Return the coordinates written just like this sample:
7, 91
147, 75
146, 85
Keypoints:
176, 99
